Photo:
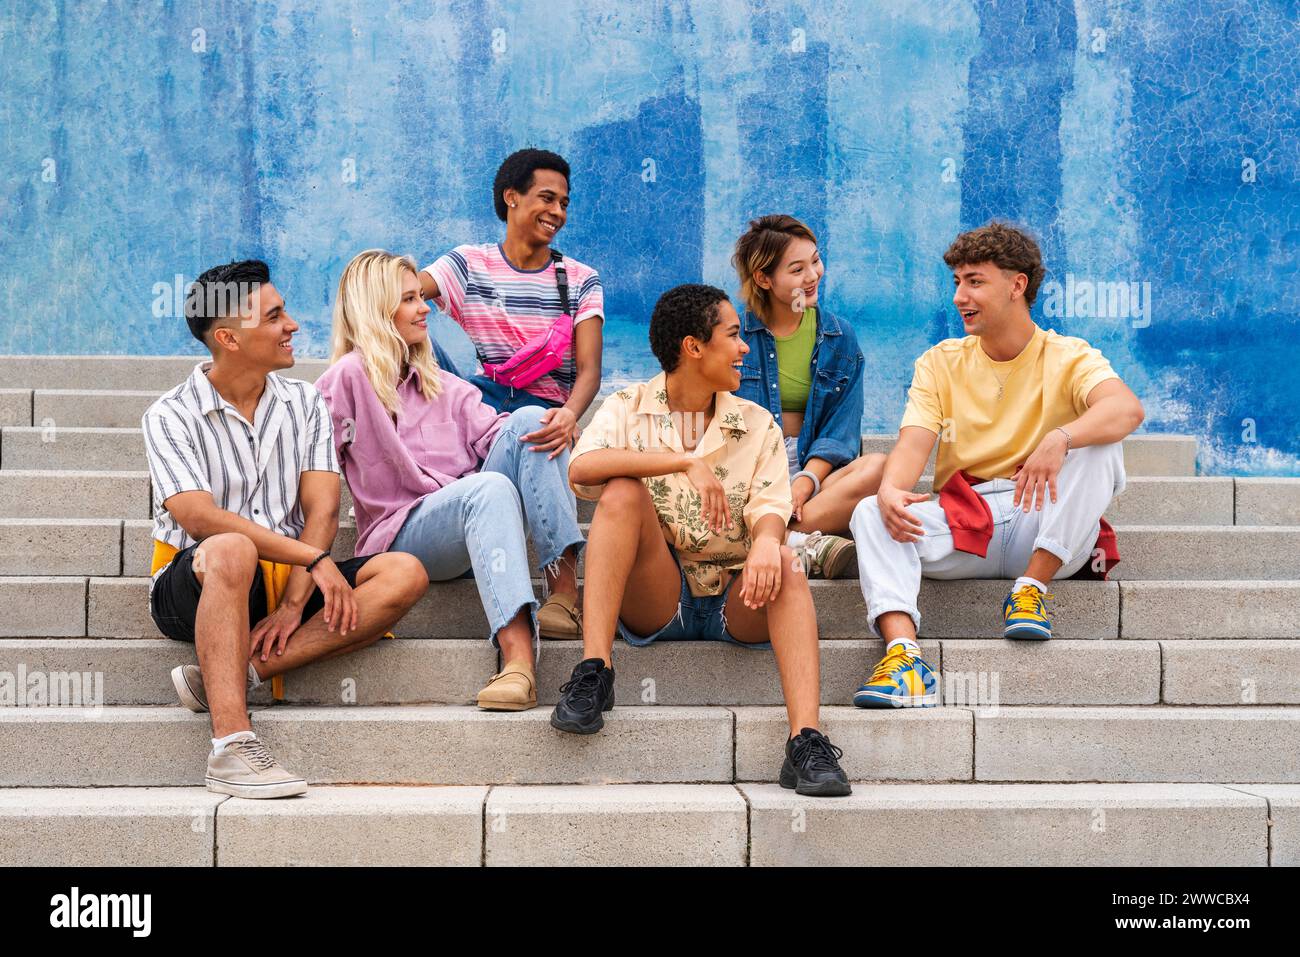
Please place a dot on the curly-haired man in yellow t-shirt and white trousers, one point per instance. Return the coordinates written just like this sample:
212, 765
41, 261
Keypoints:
1030, 426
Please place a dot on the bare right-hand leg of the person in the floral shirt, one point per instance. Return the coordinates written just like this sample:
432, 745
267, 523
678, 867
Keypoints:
790, 623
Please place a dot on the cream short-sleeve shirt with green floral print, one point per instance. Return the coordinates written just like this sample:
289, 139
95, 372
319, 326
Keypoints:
743, 444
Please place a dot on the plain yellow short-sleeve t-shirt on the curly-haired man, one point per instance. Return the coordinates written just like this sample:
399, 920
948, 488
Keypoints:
955, 395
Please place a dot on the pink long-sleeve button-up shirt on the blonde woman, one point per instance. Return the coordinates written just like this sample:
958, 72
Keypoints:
391, 467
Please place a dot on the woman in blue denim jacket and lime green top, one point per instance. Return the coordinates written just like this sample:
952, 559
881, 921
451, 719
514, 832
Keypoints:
805, 369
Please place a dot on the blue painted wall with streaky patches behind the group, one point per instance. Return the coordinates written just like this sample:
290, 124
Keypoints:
1145, 142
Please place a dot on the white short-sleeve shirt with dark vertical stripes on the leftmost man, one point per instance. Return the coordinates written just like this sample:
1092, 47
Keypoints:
198, 441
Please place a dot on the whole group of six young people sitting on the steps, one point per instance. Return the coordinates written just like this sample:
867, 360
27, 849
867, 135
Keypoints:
722, 484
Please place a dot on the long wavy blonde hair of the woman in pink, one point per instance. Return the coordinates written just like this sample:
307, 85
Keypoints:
370, 293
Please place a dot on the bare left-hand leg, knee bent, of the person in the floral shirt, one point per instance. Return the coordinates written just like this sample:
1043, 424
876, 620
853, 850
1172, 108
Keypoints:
640, 584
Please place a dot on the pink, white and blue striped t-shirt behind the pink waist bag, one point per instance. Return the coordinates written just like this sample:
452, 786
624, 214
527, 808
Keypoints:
502, 308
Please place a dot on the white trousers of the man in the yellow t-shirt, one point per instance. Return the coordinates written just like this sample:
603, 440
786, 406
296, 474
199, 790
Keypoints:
891, 571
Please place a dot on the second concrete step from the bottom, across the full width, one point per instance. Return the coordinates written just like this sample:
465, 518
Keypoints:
445, 744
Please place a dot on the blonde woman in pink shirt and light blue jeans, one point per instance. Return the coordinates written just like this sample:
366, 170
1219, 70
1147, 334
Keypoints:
436, 473
